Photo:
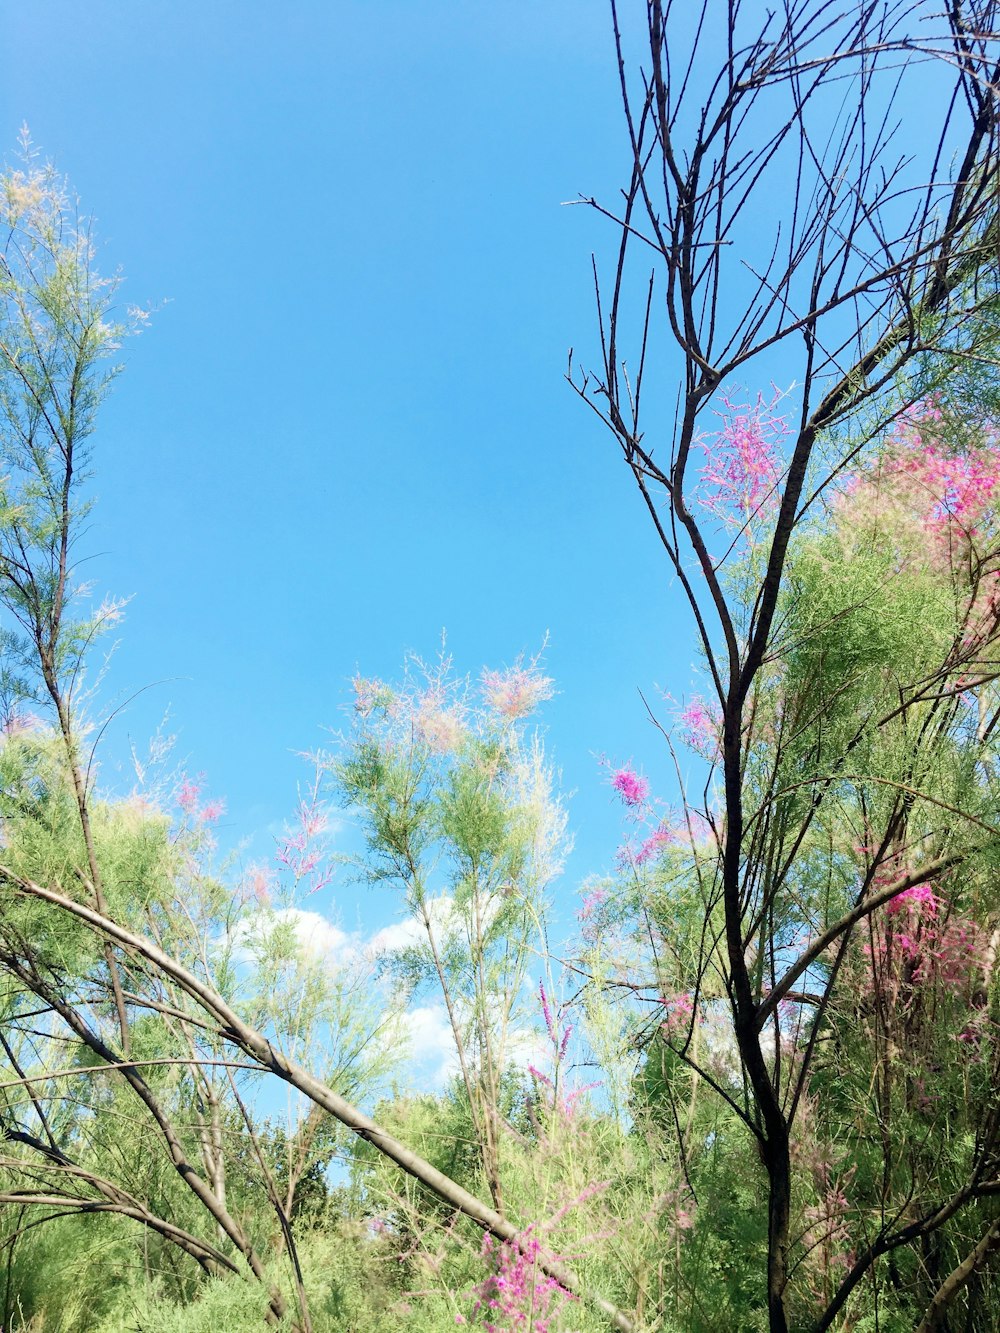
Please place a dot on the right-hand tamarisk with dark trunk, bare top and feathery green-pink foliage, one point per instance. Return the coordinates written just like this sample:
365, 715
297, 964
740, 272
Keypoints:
790, 217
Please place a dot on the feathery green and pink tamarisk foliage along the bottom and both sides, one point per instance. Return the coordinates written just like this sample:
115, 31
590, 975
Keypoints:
867, 755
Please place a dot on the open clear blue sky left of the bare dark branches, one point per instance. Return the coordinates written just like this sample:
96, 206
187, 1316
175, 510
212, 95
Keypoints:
347, 429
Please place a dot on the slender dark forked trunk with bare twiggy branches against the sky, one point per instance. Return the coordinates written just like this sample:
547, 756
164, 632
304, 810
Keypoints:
795, 223
